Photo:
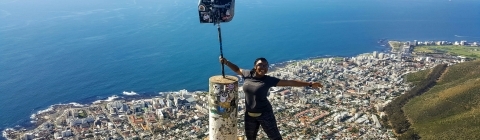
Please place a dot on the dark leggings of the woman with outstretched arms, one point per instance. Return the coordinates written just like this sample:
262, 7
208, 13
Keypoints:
268, 123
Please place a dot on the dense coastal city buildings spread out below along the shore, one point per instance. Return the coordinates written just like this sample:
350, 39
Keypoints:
348, 107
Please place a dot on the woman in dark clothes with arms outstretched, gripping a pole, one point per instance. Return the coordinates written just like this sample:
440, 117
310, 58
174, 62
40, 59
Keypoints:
256, 85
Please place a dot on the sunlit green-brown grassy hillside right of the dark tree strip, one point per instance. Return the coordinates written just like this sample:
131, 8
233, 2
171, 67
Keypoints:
450, 109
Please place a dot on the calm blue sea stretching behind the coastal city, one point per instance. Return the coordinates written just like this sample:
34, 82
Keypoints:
54, 51
